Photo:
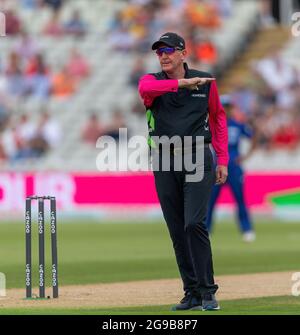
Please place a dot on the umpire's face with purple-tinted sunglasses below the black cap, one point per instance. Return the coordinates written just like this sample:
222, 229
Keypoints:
171, 58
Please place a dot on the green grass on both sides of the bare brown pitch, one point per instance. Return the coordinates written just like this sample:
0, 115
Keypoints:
94, 253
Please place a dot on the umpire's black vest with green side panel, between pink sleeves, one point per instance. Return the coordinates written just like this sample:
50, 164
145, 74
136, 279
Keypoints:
181, 113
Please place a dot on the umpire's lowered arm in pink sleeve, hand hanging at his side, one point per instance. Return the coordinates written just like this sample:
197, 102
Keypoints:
219, 131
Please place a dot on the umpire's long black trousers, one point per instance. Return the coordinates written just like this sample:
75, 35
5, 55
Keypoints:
184, 206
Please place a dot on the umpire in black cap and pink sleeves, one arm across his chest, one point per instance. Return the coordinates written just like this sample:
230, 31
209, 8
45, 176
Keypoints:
185, 102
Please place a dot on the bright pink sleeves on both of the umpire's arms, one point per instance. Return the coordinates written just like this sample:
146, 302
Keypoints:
151, 88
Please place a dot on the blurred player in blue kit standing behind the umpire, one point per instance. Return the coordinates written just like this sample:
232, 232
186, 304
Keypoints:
235, 180
